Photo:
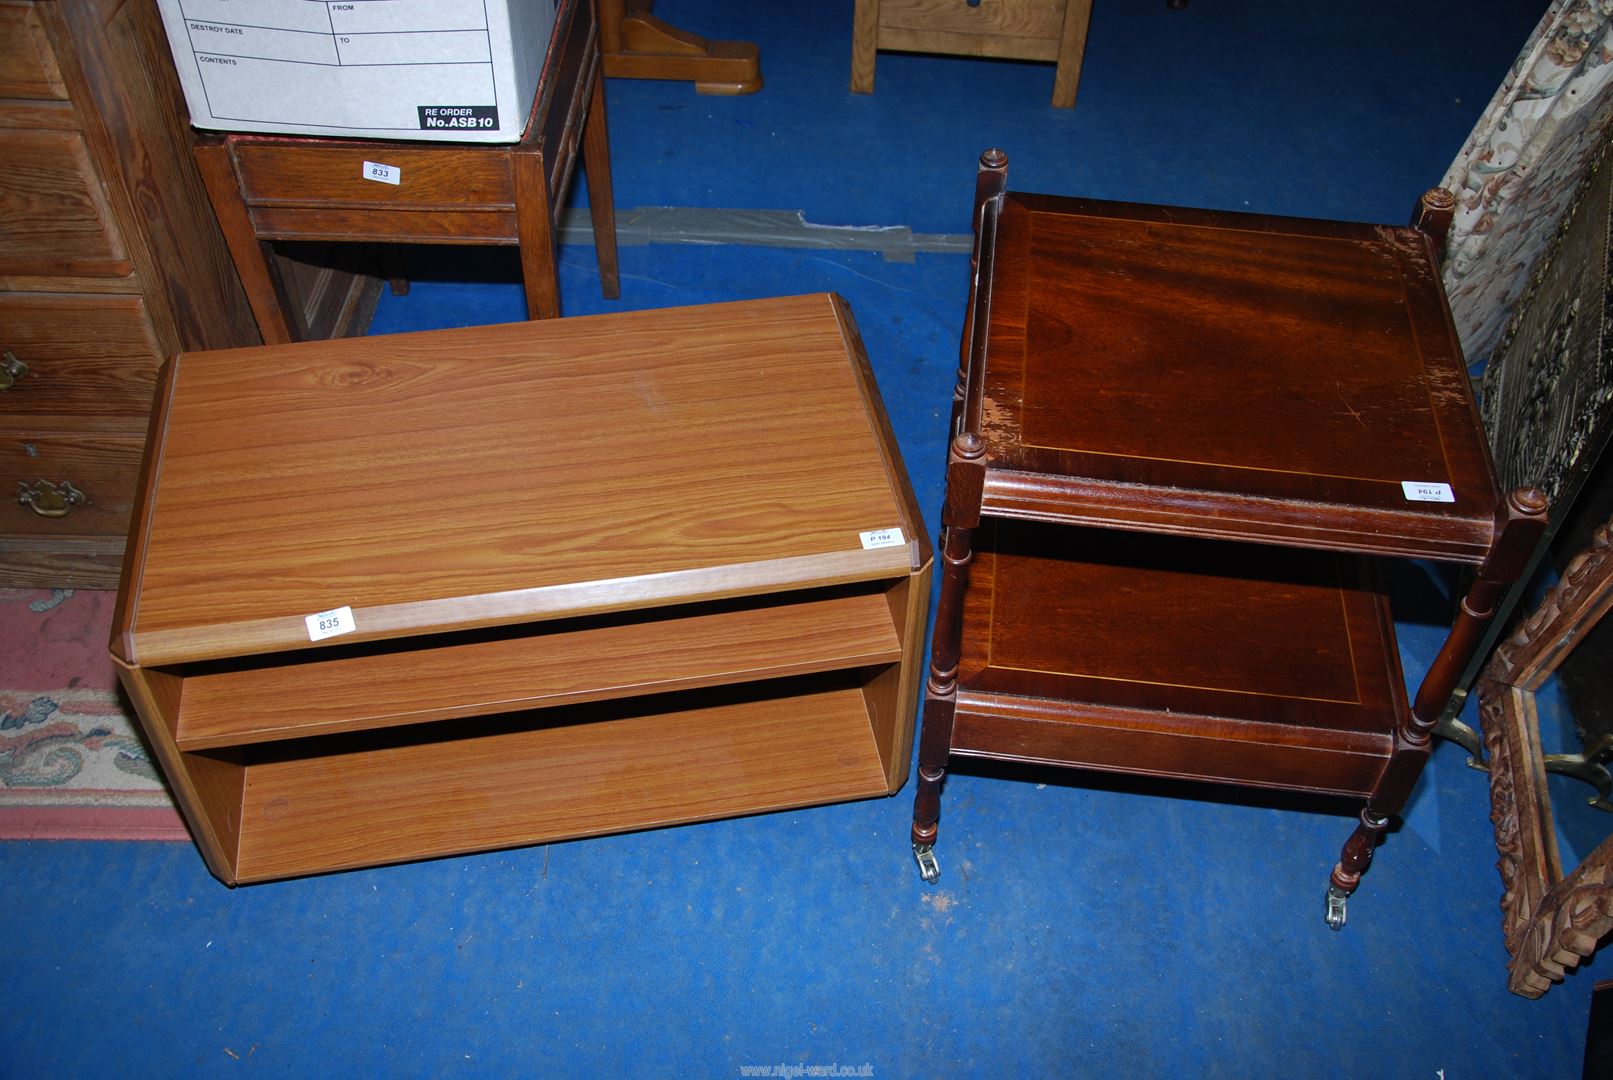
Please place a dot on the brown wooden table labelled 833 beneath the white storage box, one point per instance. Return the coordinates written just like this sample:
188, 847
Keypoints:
293, 188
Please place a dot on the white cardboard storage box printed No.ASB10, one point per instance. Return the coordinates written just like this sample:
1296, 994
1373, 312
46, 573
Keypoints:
435, 70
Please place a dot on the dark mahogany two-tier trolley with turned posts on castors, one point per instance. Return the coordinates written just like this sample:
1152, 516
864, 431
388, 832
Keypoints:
1173, 434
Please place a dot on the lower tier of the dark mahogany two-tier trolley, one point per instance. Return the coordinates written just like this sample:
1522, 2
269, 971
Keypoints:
1183, 658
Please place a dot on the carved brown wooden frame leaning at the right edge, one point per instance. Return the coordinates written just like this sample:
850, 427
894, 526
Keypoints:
1551, 921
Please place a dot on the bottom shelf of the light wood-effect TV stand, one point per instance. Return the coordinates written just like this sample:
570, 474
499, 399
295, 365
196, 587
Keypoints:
533, 778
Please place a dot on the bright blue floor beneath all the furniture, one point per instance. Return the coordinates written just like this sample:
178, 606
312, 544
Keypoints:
1082, 928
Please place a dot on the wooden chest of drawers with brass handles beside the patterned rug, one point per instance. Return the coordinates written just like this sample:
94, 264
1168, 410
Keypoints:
110, 260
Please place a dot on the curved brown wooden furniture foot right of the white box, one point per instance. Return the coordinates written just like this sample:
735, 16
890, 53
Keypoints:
640, 46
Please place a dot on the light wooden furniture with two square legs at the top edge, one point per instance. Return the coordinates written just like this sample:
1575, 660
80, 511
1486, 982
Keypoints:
1004, 30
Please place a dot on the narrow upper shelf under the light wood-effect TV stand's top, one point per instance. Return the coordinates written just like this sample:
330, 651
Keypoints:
544, 665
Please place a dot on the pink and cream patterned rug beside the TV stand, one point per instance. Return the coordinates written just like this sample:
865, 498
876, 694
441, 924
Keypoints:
73, 763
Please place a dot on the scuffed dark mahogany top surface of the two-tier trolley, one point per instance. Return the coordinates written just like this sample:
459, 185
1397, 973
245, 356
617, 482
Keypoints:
1240, 359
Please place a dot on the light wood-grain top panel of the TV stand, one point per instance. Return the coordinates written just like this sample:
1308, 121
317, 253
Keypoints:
511, 473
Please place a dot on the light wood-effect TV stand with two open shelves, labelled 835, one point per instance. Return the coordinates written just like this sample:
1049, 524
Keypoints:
602, 575
